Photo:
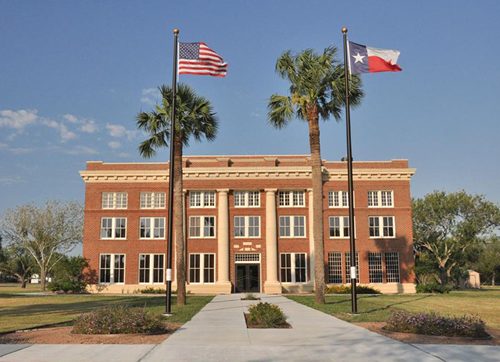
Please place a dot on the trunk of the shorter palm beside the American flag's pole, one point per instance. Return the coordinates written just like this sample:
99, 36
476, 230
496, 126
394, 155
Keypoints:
178, 223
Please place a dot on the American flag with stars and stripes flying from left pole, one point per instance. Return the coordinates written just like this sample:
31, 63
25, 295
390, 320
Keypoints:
198, 59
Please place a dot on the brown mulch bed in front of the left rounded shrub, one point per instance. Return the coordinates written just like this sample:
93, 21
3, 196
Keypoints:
63, 335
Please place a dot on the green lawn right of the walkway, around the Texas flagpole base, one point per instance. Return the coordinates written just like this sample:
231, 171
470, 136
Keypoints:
484, 302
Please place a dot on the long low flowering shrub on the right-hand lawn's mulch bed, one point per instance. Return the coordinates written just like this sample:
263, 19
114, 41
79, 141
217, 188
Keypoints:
436, 325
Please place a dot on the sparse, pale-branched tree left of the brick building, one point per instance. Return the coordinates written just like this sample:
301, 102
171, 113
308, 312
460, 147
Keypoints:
45, 233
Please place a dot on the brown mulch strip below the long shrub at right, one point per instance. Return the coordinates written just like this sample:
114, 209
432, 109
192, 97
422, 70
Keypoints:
424, 339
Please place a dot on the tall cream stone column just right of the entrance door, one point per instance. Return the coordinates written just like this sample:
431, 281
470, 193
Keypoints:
271, 285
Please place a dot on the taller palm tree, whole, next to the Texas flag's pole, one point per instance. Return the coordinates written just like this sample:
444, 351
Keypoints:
317, 89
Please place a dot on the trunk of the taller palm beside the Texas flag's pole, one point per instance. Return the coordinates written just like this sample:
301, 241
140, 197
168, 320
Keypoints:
317, 186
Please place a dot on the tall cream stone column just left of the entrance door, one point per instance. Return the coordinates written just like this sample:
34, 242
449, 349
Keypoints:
223, 283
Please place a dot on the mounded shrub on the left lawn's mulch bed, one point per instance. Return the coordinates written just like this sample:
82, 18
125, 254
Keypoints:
119, 319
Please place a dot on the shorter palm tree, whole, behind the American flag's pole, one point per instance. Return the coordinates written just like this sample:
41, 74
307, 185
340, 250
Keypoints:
194, 118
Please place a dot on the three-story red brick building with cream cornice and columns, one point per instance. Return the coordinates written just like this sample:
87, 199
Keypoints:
248, 224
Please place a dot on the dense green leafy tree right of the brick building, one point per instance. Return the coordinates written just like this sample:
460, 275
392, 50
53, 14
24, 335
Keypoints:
447, 225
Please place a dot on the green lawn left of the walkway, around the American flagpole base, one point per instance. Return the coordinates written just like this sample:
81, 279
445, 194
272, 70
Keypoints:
20, 311
